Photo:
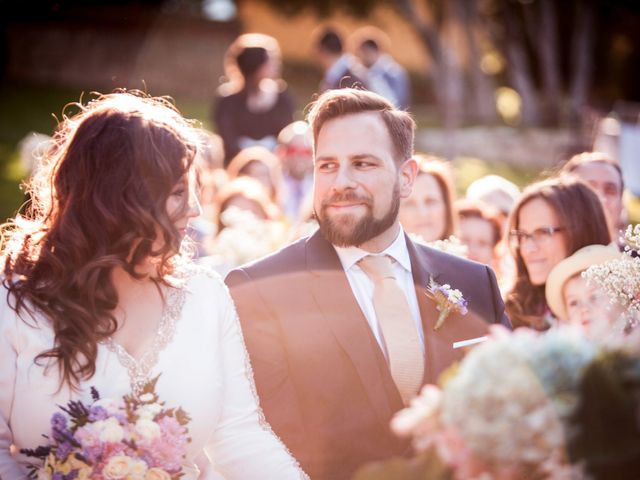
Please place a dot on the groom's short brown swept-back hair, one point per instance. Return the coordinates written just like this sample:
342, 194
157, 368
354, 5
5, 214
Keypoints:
346, 101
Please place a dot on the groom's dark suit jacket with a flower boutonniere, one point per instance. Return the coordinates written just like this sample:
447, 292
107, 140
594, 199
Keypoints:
323, 382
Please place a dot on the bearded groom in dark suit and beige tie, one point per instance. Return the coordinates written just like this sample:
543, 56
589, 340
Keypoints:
339, 326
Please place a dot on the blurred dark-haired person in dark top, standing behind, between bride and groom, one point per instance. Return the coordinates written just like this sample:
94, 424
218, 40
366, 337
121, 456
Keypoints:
254, 104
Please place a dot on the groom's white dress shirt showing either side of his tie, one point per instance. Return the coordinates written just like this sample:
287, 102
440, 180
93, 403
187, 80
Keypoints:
362, 285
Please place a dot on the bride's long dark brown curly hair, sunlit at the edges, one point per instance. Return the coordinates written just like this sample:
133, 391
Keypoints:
98, 201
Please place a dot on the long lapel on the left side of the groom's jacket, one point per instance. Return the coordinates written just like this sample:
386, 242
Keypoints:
334, 298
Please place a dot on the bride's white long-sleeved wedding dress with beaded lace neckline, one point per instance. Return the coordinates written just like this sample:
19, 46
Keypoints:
204, 368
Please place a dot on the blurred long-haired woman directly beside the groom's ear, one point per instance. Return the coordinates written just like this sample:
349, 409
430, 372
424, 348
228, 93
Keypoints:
428, 211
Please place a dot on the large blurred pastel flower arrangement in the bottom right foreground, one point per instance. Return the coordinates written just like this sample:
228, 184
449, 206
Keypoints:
526, 405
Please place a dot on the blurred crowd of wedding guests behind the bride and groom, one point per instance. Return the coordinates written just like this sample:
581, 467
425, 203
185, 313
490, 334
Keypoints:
256, 179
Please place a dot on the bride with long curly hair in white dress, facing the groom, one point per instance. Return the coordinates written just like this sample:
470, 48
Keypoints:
99, 294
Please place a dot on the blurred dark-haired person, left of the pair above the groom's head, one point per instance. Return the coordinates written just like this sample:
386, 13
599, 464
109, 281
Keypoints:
340, 69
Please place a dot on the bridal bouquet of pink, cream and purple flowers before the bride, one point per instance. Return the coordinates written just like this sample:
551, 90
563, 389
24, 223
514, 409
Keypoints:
136, 439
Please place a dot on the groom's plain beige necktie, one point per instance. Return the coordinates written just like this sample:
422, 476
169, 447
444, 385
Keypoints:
398, 327
